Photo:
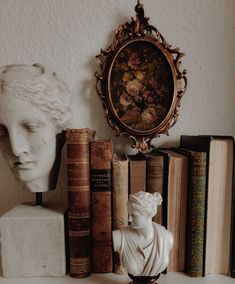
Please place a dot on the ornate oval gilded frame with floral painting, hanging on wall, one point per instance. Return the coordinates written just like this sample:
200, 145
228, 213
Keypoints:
140, 83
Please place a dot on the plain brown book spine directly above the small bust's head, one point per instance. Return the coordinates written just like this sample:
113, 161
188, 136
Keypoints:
137, 173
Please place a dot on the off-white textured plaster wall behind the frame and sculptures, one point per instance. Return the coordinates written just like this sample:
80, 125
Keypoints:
66, 35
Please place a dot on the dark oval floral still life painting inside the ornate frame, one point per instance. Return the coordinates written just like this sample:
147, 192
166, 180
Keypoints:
141, 86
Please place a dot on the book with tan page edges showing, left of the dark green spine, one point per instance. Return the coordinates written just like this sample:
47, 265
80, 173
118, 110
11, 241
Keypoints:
175, 192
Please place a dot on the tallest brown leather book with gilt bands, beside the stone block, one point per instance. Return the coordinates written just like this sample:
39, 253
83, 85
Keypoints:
77, 146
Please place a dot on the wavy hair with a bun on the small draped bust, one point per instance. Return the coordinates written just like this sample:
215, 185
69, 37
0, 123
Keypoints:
144, 203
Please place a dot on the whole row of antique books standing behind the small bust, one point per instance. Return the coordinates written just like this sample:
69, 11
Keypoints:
195, 180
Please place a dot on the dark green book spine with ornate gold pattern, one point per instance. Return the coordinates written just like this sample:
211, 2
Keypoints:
196, 216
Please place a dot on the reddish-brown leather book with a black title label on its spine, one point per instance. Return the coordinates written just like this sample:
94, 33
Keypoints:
101, 206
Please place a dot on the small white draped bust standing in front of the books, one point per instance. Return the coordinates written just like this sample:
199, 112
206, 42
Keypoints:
143, 246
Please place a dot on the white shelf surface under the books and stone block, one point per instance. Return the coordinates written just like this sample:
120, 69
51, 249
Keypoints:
170, 278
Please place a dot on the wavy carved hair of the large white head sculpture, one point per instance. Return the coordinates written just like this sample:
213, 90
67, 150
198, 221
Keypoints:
36, 84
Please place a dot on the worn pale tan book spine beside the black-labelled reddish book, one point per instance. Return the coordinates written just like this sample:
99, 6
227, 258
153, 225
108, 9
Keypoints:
119, 201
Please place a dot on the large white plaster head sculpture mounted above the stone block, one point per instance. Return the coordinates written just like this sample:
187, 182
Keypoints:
34, 111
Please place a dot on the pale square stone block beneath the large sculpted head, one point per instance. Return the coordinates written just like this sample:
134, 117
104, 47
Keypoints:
33, 242
